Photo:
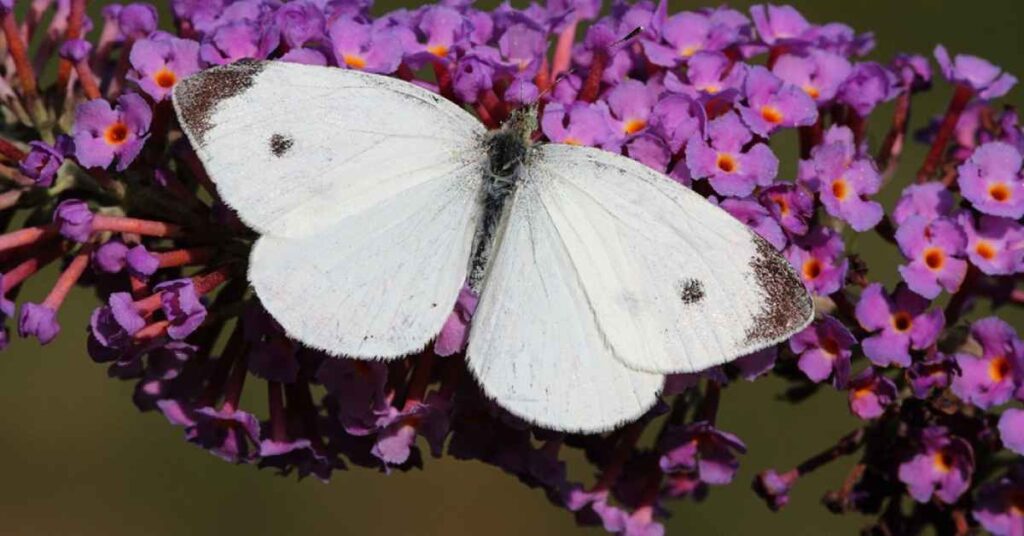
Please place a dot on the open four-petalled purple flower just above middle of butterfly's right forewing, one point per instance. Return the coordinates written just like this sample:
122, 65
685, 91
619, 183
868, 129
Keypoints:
722, 158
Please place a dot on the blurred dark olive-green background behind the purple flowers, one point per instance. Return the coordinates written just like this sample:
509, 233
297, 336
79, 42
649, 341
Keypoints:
78, 459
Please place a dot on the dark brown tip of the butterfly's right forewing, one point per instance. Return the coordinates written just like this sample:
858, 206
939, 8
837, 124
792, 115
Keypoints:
787, 305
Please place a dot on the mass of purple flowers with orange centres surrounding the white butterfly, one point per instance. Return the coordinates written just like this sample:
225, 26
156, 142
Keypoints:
119, 196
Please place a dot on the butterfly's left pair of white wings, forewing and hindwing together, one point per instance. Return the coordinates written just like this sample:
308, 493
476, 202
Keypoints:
364, 188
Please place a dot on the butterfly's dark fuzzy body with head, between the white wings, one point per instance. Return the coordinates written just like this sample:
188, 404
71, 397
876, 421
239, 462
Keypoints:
508, 149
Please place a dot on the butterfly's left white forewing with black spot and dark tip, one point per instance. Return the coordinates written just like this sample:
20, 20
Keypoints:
294, 148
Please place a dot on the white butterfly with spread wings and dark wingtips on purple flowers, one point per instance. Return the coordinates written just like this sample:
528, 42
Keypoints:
376, 200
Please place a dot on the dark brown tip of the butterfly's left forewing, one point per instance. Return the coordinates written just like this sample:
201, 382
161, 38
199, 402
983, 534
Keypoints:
197, 97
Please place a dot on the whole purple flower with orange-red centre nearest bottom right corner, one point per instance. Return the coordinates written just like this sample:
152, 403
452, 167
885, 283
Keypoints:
943, 467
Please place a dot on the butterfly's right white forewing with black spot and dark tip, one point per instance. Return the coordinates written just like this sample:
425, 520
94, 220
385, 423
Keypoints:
675, 283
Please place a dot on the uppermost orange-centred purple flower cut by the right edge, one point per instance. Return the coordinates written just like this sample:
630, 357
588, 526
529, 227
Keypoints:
992, 181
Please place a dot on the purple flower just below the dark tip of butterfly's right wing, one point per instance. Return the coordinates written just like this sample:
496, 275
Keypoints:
825, 351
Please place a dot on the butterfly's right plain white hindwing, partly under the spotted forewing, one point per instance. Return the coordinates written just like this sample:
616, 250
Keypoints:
535, 345
